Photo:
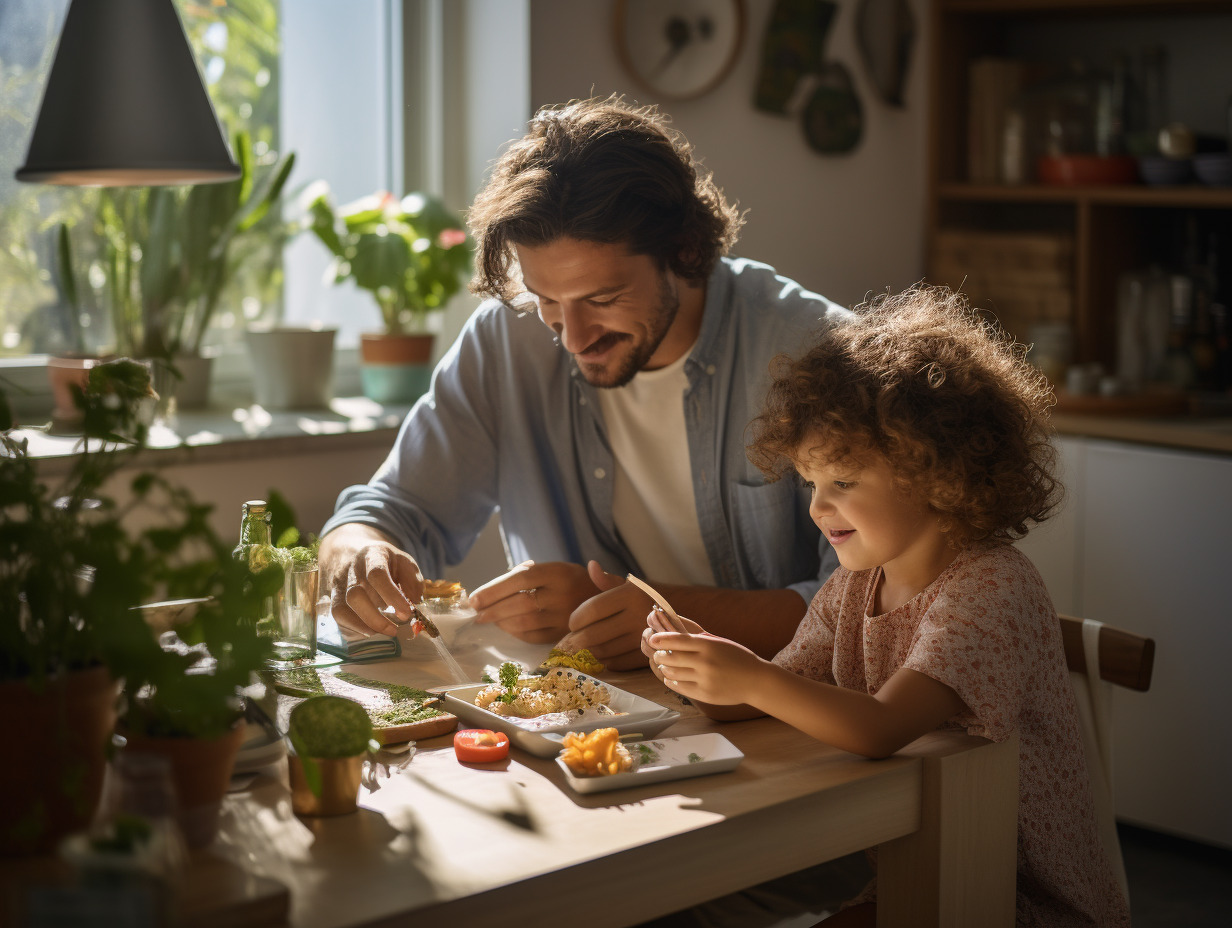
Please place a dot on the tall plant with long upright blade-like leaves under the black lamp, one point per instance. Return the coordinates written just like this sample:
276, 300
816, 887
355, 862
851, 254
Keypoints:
160, 259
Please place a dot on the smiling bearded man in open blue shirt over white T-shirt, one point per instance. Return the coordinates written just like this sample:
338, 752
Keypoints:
610, 431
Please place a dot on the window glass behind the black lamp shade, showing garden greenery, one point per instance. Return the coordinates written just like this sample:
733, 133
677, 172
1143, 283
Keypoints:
238, 49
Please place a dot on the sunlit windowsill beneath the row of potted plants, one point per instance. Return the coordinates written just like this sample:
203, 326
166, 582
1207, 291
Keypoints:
236, 431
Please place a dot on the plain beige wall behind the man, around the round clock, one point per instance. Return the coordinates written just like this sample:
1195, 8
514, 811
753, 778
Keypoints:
842, 226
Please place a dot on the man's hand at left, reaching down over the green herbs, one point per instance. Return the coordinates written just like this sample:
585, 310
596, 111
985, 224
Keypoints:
364, 572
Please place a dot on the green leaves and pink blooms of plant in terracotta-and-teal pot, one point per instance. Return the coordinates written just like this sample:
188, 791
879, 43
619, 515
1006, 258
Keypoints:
412, 254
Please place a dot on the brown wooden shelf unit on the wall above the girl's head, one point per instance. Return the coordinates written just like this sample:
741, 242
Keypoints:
1101, 231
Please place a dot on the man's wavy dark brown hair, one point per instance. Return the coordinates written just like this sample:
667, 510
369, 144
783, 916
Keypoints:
601, 171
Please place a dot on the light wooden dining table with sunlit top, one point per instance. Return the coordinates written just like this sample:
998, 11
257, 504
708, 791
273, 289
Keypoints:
444, 844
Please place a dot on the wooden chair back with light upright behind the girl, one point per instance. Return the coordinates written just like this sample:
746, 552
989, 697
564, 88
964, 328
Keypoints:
1112, 657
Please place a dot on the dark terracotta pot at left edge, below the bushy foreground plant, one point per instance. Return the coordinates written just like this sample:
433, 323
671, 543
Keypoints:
55, 759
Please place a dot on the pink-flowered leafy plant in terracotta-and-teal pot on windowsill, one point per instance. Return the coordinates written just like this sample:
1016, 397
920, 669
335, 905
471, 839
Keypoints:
413, 256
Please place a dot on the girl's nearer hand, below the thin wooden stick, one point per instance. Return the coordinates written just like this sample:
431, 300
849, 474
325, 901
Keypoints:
703, 667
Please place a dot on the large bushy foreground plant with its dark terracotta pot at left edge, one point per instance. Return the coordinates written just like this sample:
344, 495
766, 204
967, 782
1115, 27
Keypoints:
73, 575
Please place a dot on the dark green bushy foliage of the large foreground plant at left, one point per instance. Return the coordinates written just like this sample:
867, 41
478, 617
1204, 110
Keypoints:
73, 575
